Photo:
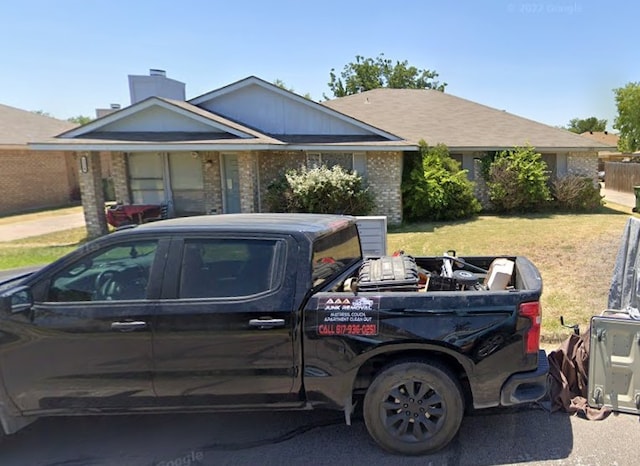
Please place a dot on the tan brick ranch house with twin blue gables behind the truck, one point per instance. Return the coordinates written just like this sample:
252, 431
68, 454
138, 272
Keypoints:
218, 152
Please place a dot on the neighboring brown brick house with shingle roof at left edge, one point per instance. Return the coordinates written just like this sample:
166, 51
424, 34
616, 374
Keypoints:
30, 179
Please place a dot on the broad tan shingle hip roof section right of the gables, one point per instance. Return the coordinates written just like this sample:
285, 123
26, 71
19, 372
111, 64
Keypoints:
437, 117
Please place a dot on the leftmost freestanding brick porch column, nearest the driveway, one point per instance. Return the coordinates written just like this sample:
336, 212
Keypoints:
90, 177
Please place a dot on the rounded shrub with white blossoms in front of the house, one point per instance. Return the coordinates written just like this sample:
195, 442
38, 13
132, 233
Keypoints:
319, 190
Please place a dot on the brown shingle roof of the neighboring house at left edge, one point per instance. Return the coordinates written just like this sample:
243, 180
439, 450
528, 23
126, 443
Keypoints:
18, 127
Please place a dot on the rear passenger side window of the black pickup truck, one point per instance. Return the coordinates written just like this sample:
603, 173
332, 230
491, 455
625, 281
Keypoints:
215, 268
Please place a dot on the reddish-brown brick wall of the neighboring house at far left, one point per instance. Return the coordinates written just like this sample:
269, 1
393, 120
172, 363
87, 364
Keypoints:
36, 179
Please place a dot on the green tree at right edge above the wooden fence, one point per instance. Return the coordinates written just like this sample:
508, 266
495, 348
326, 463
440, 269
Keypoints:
628, 119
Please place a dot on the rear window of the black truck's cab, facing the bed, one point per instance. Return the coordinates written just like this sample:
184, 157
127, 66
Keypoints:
335, 252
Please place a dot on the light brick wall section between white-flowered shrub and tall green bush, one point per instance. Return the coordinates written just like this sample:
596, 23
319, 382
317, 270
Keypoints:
384, 177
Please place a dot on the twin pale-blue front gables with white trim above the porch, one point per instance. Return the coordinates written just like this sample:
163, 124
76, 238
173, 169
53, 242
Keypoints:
157, 124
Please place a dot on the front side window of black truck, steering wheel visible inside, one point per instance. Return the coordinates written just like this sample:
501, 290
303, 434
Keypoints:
118, 272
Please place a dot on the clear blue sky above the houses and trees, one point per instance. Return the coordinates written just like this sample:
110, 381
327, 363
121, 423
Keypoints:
548, 60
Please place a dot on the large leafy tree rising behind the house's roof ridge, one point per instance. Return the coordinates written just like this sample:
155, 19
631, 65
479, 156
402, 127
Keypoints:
371, 73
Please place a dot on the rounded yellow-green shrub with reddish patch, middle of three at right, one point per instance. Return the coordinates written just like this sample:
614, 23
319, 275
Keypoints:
518, 181
